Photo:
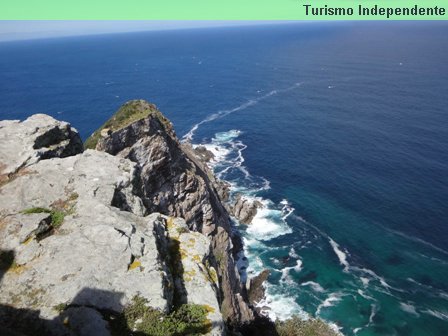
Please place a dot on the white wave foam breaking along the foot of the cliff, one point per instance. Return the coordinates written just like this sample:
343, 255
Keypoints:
268, 223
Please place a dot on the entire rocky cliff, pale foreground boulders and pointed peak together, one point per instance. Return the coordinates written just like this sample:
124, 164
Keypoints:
85, 235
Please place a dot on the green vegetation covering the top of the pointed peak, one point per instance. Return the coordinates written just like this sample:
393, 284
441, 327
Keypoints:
127, 114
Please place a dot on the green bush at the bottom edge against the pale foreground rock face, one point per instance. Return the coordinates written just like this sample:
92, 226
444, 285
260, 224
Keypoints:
139, 318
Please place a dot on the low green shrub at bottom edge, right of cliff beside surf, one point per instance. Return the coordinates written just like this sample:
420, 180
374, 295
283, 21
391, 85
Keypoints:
295, 326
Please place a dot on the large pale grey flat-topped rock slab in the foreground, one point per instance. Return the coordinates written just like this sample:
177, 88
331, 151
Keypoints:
97, 252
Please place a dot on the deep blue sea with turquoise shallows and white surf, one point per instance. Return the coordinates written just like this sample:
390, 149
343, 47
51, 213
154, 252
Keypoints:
339, 129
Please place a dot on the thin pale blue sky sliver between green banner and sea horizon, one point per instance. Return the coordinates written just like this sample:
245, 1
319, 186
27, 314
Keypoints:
25, 30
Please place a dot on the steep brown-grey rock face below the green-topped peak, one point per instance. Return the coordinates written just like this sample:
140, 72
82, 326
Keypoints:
175, 182
